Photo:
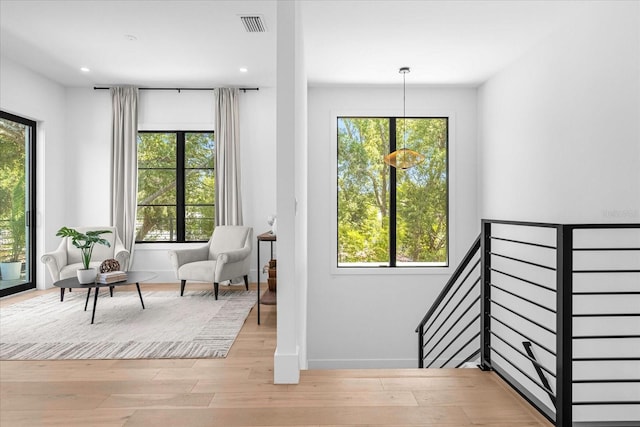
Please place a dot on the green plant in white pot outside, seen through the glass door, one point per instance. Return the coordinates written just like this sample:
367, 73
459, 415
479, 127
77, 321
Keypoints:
11, 265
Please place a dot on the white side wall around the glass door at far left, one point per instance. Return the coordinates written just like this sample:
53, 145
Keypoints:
28, 94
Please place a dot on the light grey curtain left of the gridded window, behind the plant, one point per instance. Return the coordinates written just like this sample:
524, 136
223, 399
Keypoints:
124, 172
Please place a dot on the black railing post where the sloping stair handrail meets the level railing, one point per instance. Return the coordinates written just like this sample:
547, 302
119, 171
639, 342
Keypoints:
485, 296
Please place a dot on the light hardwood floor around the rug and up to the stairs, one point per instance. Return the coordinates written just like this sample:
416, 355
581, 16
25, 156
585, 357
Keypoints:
239, 391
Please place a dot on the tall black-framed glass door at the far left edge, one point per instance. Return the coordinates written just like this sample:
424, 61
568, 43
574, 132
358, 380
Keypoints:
17, 207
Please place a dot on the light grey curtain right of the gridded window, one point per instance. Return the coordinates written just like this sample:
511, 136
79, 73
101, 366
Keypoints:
227, 134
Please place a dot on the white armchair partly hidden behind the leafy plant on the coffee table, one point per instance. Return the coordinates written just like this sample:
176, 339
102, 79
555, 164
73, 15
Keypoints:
67, 259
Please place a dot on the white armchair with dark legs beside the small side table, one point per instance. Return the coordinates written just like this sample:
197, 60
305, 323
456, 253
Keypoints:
225, 257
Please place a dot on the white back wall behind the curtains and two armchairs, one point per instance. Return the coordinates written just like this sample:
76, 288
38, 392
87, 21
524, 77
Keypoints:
88, 142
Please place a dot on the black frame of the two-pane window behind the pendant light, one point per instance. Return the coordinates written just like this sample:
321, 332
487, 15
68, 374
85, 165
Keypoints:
393, 145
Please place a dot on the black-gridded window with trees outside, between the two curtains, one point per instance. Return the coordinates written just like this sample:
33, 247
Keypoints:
176, 186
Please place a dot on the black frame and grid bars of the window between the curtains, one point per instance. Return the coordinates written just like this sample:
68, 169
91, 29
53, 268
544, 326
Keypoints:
180, 170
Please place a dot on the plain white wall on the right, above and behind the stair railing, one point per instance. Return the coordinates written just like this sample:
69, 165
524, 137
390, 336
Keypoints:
560, 142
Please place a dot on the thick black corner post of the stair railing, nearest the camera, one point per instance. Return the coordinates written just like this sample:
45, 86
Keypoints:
564, 329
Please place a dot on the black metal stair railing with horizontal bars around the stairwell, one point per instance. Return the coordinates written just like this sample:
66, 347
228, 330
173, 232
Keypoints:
571, 295
